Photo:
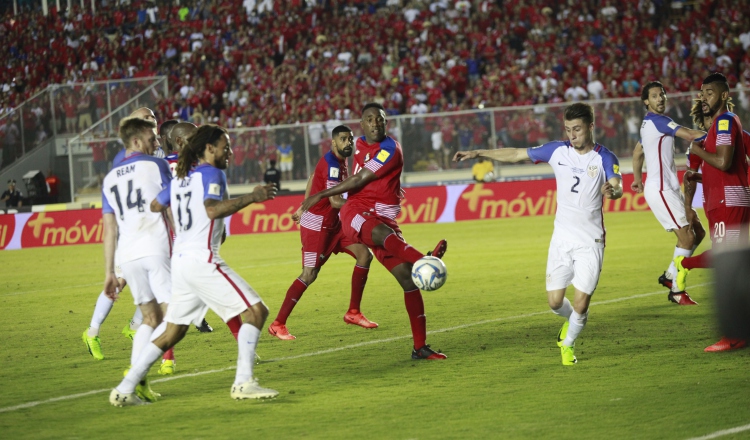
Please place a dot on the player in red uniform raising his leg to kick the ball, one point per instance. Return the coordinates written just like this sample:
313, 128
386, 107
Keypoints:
368, 216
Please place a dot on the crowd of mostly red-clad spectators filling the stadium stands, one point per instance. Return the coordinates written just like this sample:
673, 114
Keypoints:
253, 63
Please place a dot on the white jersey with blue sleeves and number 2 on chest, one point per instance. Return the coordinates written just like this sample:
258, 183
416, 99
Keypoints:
579, 218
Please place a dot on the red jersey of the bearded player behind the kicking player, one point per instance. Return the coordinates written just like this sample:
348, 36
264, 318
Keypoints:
329, 172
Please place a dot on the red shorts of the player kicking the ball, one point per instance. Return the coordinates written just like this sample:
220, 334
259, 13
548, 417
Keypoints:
358, 224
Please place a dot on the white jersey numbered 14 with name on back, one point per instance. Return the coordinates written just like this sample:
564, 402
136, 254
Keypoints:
127, 191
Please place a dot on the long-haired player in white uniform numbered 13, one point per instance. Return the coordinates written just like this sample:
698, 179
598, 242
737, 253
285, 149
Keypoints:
200, 278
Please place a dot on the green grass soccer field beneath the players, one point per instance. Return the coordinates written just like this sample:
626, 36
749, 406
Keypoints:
642, 372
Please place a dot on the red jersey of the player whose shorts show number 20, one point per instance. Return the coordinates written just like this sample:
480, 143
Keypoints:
726, 188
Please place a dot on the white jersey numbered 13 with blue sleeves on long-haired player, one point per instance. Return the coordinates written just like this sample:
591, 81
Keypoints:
196, 234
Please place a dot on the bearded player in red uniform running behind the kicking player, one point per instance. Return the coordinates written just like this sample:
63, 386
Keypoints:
322, 236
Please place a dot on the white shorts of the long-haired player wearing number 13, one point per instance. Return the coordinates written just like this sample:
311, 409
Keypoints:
198, 285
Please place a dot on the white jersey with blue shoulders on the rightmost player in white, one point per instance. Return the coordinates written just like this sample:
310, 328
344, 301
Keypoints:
657, 138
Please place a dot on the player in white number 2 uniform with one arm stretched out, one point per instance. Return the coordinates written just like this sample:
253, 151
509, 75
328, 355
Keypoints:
585, 171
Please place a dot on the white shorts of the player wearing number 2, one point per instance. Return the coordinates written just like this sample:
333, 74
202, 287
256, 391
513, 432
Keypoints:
570, 263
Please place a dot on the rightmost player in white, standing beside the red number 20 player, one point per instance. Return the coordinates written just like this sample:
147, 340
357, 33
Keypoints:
662, 188
